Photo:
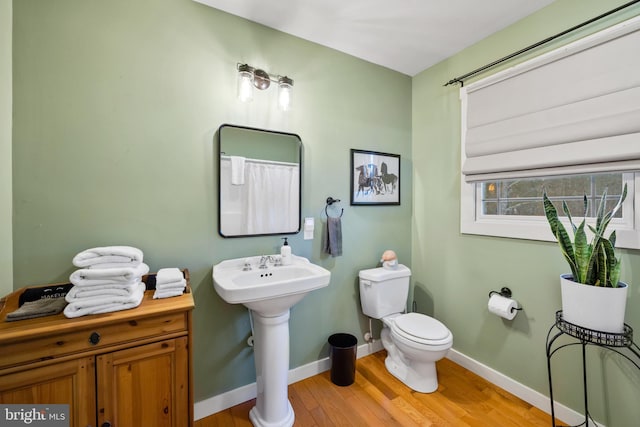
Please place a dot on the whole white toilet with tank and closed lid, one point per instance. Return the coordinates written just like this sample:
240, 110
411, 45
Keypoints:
414, 341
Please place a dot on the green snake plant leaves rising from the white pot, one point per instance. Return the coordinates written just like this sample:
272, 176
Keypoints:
592, 263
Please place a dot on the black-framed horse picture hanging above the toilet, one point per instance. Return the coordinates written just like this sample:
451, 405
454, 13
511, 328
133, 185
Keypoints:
375, 178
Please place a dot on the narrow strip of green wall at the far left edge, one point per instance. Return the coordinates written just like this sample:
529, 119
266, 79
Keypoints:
6, 205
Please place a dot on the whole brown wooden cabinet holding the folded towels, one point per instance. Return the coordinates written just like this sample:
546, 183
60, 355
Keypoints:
124, 369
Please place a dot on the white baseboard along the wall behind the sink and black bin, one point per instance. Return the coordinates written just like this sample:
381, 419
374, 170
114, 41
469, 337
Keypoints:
218, 403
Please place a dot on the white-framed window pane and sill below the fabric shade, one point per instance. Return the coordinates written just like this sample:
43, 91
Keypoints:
513, 207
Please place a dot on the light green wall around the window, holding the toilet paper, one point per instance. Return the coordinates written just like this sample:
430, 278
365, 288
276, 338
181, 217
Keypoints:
454, 273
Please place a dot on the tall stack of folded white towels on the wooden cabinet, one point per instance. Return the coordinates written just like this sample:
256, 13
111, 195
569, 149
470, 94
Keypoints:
109, 279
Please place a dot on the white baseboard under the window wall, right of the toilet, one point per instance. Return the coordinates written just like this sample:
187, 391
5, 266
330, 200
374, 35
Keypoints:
529, 395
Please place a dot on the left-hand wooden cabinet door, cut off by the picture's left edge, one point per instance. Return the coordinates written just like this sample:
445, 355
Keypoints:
71, 383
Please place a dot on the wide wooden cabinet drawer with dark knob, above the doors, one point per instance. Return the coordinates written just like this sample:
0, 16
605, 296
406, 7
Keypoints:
91, 339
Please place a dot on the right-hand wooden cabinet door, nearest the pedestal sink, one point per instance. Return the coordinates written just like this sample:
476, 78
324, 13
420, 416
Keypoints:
145, 386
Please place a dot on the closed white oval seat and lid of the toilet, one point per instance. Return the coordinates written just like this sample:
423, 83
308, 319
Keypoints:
421, 329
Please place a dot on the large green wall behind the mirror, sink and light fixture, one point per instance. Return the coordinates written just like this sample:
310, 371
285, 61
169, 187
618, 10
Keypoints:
115, 108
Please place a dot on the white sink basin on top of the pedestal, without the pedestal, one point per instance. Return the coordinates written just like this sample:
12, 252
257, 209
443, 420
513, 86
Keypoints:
270, 290
